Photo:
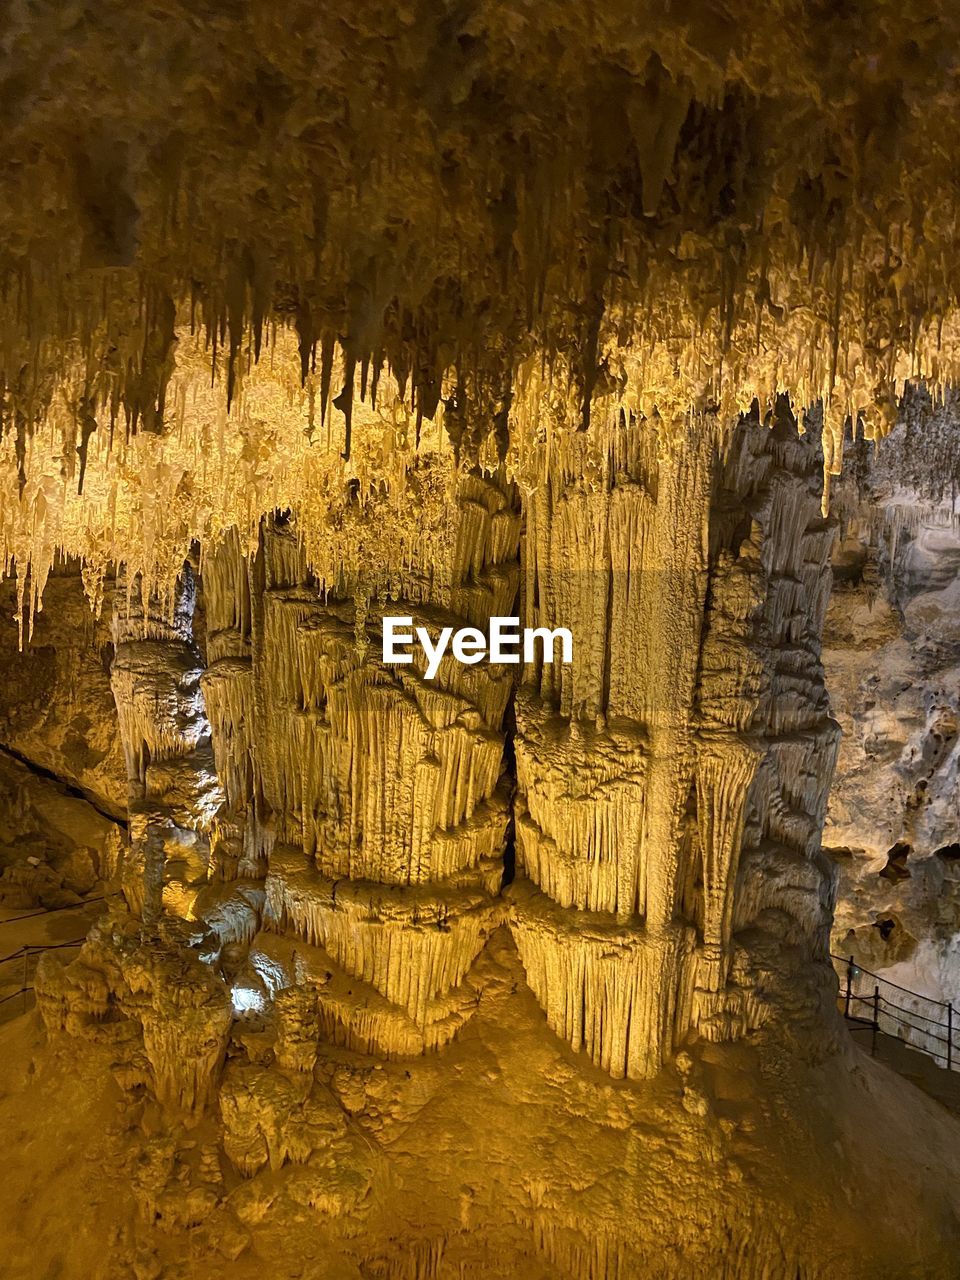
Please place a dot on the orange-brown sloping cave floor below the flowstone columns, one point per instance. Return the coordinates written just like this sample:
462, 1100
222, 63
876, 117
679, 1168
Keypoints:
742, 1164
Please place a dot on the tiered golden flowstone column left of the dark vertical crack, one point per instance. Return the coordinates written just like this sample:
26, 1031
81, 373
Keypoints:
386, 789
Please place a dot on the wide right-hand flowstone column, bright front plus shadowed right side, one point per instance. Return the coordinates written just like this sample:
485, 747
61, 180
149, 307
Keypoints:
693, 715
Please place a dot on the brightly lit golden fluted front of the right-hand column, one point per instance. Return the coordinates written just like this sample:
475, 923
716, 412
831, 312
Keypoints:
616, 550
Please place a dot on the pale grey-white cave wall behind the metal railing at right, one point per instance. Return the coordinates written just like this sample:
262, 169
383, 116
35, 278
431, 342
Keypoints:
893, 661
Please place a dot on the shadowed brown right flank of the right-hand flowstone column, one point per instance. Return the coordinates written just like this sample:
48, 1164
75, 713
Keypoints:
762, 680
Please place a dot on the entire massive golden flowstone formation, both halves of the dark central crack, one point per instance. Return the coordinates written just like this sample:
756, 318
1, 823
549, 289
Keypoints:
670, 783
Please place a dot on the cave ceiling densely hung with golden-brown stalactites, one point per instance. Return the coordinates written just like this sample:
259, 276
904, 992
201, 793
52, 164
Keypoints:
267, 255
